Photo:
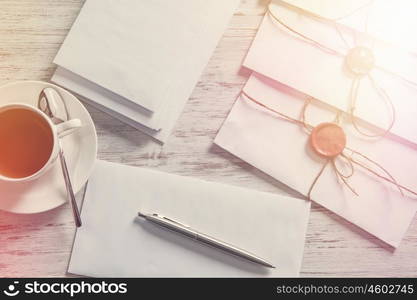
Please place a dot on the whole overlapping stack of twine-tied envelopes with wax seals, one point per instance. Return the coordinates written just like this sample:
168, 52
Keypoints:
330, 111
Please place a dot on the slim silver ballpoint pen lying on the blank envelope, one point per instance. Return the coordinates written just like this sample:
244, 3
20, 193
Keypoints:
208, 240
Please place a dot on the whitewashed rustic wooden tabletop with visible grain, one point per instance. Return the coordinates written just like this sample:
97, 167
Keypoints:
31, 32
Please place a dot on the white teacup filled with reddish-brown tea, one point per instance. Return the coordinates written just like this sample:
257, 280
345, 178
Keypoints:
15, 121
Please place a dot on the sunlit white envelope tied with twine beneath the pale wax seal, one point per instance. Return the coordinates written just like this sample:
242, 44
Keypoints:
285, 57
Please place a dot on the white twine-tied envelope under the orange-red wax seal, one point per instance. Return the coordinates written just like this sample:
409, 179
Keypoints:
281, 149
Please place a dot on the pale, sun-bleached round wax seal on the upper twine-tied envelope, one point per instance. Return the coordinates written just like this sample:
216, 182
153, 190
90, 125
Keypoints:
360, 60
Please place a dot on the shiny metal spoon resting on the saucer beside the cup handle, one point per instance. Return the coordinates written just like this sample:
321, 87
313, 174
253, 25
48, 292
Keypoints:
49, 102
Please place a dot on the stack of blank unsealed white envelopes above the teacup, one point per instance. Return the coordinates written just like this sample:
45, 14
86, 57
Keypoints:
140, 60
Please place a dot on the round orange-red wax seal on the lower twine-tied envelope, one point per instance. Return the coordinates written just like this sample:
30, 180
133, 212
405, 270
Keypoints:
328, 139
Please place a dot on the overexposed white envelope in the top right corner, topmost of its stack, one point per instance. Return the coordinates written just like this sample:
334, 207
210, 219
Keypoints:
393, 21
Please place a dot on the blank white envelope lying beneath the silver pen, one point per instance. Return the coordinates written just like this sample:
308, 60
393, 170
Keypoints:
112, 243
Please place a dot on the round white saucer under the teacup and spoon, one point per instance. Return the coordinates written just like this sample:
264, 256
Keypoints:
80, 148
